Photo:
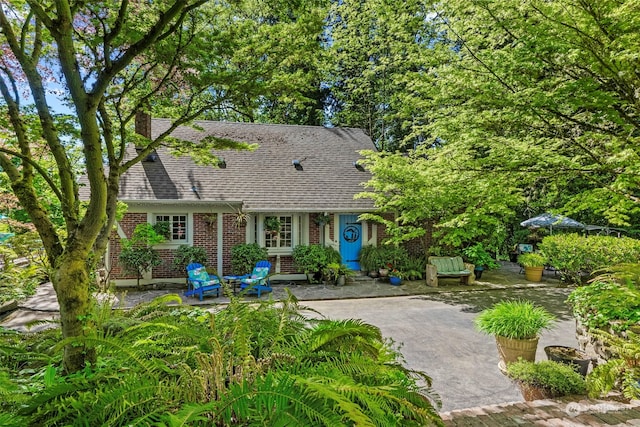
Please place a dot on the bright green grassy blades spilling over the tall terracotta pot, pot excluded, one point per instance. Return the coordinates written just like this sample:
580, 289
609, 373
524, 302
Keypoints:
514, 319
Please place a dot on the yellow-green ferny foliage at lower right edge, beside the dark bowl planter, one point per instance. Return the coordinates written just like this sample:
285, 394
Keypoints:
621, 371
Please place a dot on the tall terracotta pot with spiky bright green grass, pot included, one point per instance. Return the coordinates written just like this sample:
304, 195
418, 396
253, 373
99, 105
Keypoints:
516, 326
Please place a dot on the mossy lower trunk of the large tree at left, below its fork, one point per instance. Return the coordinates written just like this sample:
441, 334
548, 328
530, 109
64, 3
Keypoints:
70, 280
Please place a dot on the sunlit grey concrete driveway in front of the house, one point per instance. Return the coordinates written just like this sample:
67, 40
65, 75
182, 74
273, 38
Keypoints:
437, 336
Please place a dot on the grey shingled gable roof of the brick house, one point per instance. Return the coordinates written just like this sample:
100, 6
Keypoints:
262, 180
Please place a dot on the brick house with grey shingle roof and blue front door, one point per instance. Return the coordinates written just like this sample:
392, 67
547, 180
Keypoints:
299, 174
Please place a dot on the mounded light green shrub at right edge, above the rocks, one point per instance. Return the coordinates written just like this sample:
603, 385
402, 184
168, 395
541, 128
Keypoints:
604, 305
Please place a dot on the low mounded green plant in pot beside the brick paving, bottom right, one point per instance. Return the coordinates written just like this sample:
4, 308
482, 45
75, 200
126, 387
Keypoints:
546, 379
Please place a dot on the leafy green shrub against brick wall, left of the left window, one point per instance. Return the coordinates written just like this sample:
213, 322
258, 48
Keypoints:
138, 254
